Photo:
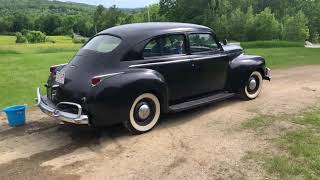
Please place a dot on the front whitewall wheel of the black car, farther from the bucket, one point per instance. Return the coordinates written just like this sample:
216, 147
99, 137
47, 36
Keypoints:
253, 86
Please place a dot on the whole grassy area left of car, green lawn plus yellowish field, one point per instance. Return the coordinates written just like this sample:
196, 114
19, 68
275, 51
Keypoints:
23, 67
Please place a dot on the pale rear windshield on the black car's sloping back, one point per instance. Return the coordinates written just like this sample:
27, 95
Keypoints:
103, 43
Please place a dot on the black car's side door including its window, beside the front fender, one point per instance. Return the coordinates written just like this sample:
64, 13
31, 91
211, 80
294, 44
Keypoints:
209, 61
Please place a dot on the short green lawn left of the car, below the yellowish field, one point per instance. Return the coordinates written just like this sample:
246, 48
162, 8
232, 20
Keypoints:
21, 74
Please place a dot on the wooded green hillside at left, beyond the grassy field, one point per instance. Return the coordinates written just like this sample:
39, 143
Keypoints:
59, 18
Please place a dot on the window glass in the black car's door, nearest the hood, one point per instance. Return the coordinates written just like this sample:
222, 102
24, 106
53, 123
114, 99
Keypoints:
202, 43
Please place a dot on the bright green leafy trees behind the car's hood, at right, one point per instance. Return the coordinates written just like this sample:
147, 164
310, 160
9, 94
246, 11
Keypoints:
250, 20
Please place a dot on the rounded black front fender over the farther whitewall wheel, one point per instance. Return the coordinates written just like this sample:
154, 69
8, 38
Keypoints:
241, 68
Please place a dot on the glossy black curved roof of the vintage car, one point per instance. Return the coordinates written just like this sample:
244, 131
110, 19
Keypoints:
141, 31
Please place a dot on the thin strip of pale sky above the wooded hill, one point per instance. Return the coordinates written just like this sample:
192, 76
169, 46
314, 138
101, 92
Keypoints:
118, 3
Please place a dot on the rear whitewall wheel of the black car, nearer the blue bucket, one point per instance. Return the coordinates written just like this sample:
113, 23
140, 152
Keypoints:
144, 114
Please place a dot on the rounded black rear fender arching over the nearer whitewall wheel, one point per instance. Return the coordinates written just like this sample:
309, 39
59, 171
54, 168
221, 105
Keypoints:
114, 96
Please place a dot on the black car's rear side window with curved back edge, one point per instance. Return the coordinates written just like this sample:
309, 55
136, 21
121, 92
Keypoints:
165, 46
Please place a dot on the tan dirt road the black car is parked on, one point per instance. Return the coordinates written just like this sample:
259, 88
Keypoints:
206, 143
